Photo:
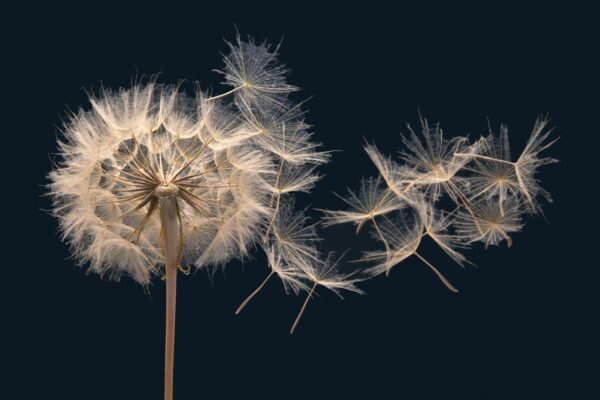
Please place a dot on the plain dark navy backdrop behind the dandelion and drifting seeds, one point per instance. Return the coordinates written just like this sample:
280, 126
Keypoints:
524, 322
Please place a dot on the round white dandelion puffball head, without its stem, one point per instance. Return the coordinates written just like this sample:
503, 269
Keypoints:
139, 147
